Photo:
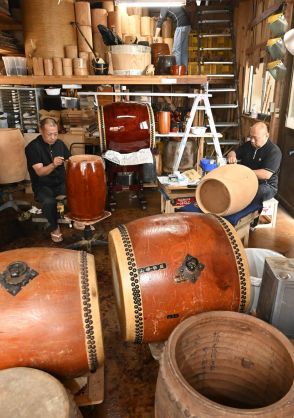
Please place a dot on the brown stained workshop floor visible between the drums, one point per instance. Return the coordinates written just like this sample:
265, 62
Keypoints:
130, 370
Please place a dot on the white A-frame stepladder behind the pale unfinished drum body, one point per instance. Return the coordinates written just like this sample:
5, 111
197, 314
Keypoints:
198, 98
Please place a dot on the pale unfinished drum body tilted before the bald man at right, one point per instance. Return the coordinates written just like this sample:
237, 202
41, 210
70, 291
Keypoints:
227, 189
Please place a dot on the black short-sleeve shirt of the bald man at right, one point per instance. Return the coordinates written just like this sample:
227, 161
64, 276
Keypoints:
268, 157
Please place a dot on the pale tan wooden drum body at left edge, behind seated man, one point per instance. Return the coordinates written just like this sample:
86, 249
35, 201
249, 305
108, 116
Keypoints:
13, 165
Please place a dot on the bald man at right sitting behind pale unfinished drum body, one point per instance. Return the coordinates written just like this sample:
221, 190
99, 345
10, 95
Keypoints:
263, 157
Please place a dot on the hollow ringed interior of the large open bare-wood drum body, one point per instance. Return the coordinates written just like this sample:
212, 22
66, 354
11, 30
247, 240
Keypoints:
255, 373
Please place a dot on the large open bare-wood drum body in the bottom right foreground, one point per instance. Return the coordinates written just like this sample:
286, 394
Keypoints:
225, 364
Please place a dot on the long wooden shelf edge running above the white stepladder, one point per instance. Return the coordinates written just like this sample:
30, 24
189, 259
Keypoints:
103, 79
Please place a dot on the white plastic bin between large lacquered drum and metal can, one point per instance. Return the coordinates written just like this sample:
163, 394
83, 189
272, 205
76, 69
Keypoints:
256, 259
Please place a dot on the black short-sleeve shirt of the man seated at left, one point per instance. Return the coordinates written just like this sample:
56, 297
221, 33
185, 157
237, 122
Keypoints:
38, 151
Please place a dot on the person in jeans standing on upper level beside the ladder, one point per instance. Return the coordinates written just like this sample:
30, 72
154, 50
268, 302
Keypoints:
182, 23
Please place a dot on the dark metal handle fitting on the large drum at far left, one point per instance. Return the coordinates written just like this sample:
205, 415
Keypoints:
17, 275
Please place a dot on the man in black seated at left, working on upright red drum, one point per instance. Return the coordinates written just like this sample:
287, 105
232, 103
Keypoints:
45, 158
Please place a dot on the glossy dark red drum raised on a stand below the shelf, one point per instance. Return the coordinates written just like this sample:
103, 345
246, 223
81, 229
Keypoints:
126, 127
